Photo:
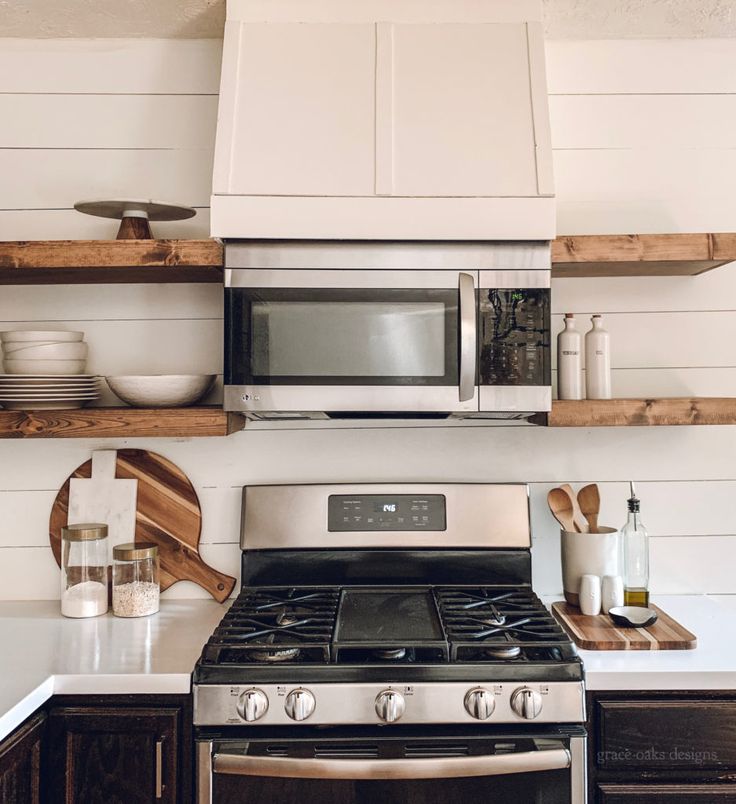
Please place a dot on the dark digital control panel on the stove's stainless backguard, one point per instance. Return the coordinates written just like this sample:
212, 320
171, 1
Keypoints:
376, 512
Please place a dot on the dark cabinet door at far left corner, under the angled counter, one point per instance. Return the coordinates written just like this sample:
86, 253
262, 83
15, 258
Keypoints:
20, 762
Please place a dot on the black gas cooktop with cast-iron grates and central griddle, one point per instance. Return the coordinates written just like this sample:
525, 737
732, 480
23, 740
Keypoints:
335, 633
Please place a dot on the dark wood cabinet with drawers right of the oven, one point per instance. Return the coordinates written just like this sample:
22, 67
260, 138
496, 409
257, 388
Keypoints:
661, 747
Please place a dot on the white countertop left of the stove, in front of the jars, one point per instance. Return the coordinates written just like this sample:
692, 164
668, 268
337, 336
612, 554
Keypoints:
45, 654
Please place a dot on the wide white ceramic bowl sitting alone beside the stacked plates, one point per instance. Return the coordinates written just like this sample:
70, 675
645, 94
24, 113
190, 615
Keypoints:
161, 390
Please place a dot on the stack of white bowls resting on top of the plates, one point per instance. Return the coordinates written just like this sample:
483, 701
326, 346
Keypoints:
42, 352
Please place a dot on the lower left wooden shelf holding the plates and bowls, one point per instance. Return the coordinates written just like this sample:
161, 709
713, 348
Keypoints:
119, 423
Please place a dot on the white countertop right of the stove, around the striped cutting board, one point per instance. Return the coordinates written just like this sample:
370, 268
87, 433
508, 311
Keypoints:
710, 666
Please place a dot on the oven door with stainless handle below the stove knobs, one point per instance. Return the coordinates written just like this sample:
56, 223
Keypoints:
479, 769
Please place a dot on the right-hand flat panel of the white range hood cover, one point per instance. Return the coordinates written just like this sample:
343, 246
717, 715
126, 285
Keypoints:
461, 113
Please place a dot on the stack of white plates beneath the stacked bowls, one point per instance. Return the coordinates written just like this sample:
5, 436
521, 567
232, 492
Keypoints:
47, 392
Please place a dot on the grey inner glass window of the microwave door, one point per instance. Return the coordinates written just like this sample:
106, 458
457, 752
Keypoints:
370, 339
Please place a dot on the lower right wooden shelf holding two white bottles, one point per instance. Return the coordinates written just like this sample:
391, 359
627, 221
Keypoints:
640, 412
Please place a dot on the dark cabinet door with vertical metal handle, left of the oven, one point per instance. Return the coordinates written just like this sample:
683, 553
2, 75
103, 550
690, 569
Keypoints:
101, 755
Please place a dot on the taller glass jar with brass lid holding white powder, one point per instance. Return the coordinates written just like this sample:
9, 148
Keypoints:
84, 572
